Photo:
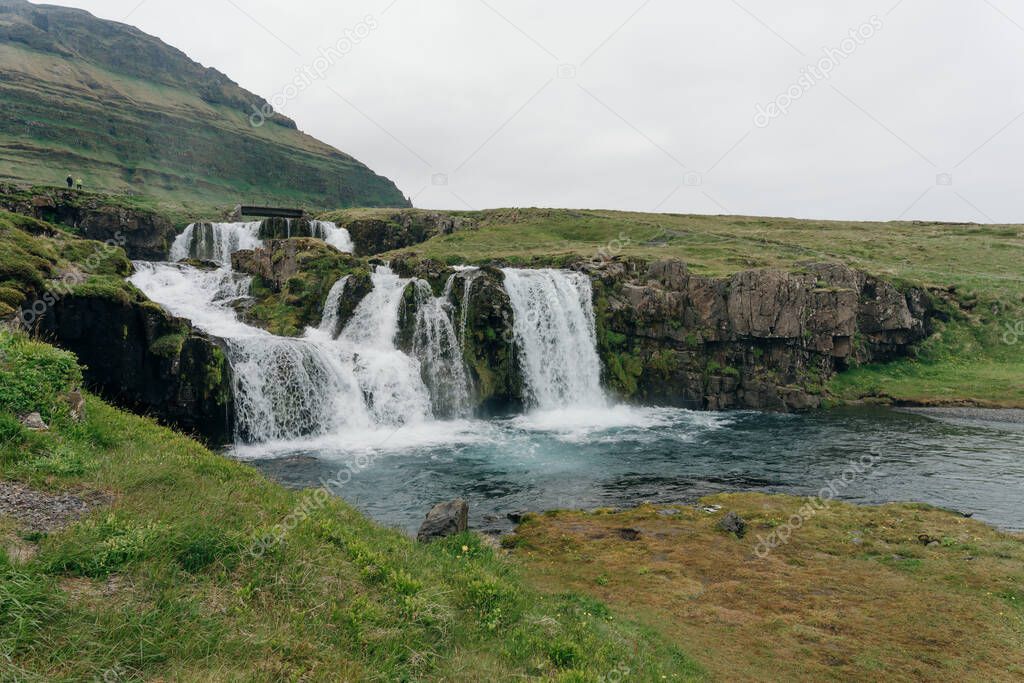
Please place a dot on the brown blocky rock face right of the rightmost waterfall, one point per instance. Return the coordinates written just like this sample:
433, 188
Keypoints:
760, 339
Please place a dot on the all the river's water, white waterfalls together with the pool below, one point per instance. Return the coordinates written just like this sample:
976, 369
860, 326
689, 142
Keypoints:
310, 407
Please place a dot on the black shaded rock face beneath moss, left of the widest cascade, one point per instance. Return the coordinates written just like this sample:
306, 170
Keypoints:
144, 360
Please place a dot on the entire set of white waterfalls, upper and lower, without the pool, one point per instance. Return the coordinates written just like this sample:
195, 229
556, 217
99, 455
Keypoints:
319, 387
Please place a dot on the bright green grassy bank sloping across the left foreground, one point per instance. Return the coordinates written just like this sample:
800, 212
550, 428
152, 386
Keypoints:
162, 584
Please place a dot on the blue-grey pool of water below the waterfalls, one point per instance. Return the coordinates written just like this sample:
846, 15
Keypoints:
621, 457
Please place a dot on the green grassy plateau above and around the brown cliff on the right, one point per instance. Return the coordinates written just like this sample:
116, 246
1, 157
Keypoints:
977, 359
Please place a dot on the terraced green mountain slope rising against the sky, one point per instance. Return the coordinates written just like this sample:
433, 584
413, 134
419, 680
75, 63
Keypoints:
125, 112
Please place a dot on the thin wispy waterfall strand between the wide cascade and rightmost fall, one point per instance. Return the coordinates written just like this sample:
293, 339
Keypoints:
438, 348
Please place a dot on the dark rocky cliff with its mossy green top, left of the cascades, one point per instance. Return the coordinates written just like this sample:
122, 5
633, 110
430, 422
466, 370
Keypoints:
72, 292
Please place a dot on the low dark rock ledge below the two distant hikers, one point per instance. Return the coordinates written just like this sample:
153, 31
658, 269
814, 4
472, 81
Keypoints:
144, 235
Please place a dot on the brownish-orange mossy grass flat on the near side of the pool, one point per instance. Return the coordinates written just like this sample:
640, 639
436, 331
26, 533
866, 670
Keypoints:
855, 596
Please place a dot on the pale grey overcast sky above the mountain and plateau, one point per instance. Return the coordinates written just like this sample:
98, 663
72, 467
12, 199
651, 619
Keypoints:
673, 106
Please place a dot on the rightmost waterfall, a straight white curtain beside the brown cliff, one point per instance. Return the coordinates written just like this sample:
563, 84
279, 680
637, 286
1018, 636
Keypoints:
556, 337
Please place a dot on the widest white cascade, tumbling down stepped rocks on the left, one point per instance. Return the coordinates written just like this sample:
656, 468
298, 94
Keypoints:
287, 389
